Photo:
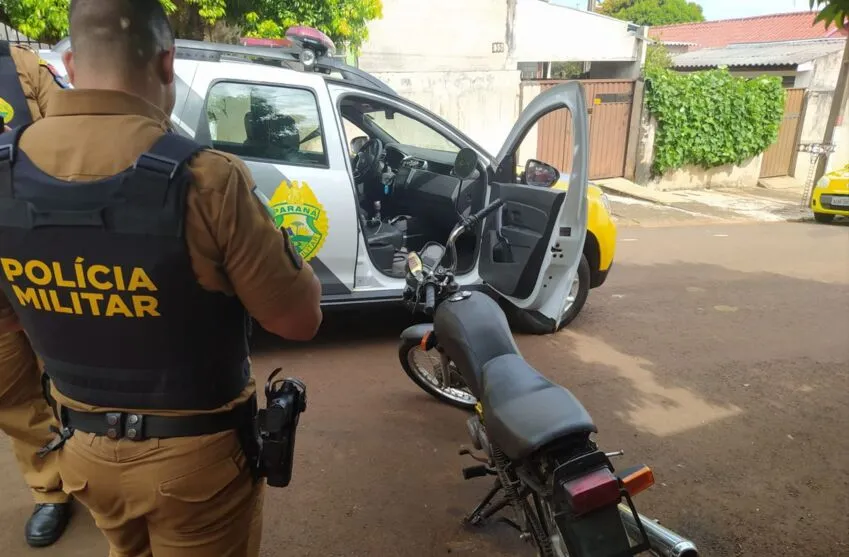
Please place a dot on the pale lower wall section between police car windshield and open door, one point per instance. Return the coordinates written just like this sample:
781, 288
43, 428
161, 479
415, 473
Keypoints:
483, 104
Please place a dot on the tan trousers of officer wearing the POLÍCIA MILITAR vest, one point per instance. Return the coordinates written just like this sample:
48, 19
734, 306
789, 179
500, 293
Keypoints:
180, 497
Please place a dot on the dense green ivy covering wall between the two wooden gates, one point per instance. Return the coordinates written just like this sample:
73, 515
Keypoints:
712, 118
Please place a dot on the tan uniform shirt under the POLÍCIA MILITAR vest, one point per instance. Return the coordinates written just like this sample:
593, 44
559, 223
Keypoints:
234, 245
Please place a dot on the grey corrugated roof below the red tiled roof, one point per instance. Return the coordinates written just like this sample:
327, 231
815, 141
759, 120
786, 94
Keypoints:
784, 53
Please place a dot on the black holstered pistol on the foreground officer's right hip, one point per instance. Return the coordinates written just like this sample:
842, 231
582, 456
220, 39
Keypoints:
276, 426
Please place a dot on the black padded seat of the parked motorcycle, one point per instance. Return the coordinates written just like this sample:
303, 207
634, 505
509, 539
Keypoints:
524, 411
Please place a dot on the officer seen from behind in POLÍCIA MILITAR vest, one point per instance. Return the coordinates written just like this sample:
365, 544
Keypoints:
132, 257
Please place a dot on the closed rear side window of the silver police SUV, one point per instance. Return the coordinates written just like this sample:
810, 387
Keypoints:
269, 122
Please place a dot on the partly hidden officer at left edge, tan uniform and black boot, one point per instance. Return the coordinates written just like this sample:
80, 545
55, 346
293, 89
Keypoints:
26, 84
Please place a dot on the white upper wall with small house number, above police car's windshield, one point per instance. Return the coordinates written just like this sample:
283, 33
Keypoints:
436, 35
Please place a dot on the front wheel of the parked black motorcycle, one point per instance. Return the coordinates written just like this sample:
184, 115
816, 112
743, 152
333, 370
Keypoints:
424, 368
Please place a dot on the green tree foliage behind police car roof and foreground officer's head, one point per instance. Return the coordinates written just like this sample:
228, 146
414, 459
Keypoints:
344, 21
